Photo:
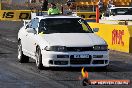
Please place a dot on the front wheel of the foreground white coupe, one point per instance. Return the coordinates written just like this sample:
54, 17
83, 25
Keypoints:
39, 58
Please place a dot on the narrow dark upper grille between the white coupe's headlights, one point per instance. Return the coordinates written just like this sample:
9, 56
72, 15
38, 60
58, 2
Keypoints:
79, 49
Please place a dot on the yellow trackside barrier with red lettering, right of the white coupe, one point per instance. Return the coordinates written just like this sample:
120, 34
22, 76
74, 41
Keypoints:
118, 37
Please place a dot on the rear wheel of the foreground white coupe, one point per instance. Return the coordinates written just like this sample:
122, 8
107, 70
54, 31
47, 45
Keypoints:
21, 57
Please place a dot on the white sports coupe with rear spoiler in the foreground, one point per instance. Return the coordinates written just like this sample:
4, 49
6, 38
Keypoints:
61, 41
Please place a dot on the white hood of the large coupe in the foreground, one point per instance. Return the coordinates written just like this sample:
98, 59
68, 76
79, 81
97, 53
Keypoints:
74, 39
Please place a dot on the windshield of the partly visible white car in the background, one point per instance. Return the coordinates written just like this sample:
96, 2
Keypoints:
122, 11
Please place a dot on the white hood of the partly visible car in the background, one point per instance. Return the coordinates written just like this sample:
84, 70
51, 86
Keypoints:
120, 17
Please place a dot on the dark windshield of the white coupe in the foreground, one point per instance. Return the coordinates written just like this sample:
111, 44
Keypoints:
64, 25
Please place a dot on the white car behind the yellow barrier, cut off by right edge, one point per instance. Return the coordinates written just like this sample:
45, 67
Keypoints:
118, 13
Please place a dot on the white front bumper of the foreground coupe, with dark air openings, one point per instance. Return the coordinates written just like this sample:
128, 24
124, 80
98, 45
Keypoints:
66, 59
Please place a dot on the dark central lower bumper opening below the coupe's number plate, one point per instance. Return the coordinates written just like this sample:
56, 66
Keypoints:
75, 61
